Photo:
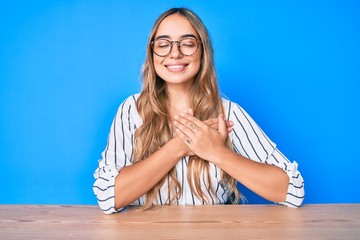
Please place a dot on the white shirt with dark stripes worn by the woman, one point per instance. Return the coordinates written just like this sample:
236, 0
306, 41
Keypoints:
246, 137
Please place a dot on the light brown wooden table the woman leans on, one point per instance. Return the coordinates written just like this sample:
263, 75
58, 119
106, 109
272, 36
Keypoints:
181, 222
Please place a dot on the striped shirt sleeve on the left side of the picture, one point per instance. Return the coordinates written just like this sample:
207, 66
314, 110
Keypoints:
117, 154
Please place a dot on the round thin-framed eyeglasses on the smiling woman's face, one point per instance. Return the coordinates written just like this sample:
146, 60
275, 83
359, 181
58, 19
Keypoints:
187, 46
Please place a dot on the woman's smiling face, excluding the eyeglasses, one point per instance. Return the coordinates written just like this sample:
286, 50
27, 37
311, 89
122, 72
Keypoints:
177, 68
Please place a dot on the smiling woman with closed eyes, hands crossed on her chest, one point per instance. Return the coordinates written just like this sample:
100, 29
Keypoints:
178, 142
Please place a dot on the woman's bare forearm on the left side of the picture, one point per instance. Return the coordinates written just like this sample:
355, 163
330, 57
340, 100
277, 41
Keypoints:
135, 180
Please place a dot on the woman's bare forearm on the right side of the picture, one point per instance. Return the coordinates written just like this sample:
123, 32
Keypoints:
266, 180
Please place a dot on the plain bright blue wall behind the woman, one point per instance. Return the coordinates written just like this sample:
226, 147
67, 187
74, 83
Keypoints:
65, 66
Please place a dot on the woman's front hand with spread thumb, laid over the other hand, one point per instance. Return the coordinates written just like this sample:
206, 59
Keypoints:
201, 139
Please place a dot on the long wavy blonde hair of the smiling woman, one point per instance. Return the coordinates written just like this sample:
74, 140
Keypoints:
152, 106
